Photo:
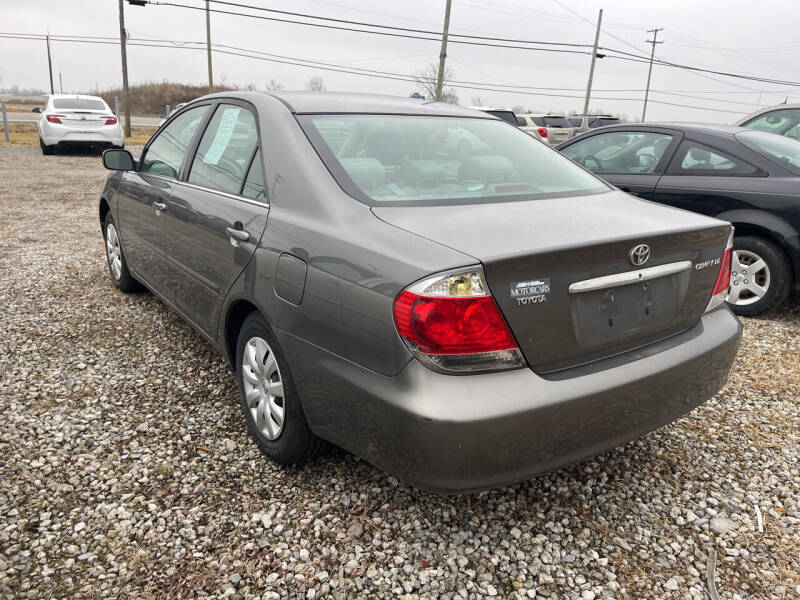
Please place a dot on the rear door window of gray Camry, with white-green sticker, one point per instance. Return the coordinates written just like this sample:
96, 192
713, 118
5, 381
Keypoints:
225, 150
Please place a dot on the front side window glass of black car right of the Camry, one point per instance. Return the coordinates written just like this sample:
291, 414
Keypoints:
620, 152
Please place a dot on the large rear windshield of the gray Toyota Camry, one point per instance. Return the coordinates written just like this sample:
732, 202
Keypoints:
423, 160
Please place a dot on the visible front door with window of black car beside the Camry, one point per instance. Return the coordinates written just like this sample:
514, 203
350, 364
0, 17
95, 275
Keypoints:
632, 160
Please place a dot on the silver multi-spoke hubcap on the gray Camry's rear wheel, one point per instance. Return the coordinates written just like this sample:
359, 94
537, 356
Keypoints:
263, 387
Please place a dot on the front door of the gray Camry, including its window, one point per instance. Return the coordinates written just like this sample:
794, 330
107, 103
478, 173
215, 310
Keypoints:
143, 196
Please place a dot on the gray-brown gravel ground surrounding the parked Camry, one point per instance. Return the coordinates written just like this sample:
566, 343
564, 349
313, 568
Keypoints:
127, 471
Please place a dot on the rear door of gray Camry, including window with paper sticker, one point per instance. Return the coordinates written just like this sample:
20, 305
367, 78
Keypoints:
216, 214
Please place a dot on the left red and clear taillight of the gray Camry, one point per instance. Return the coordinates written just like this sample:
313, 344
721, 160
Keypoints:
452, 324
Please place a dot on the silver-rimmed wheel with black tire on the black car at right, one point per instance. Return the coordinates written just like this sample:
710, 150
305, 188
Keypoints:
761, 276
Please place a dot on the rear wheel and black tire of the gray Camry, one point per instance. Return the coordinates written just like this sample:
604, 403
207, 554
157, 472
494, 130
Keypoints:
270, 403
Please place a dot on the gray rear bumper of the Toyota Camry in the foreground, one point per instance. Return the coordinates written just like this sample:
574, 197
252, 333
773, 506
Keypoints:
459, 433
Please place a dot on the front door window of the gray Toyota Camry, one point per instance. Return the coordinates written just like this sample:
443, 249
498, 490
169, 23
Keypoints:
165, 153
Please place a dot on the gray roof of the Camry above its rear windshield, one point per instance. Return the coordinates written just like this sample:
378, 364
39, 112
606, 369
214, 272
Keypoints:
307, 102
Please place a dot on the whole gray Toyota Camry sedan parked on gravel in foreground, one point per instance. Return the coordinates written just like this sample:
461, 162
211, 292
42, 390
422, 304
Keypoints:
424, 285
